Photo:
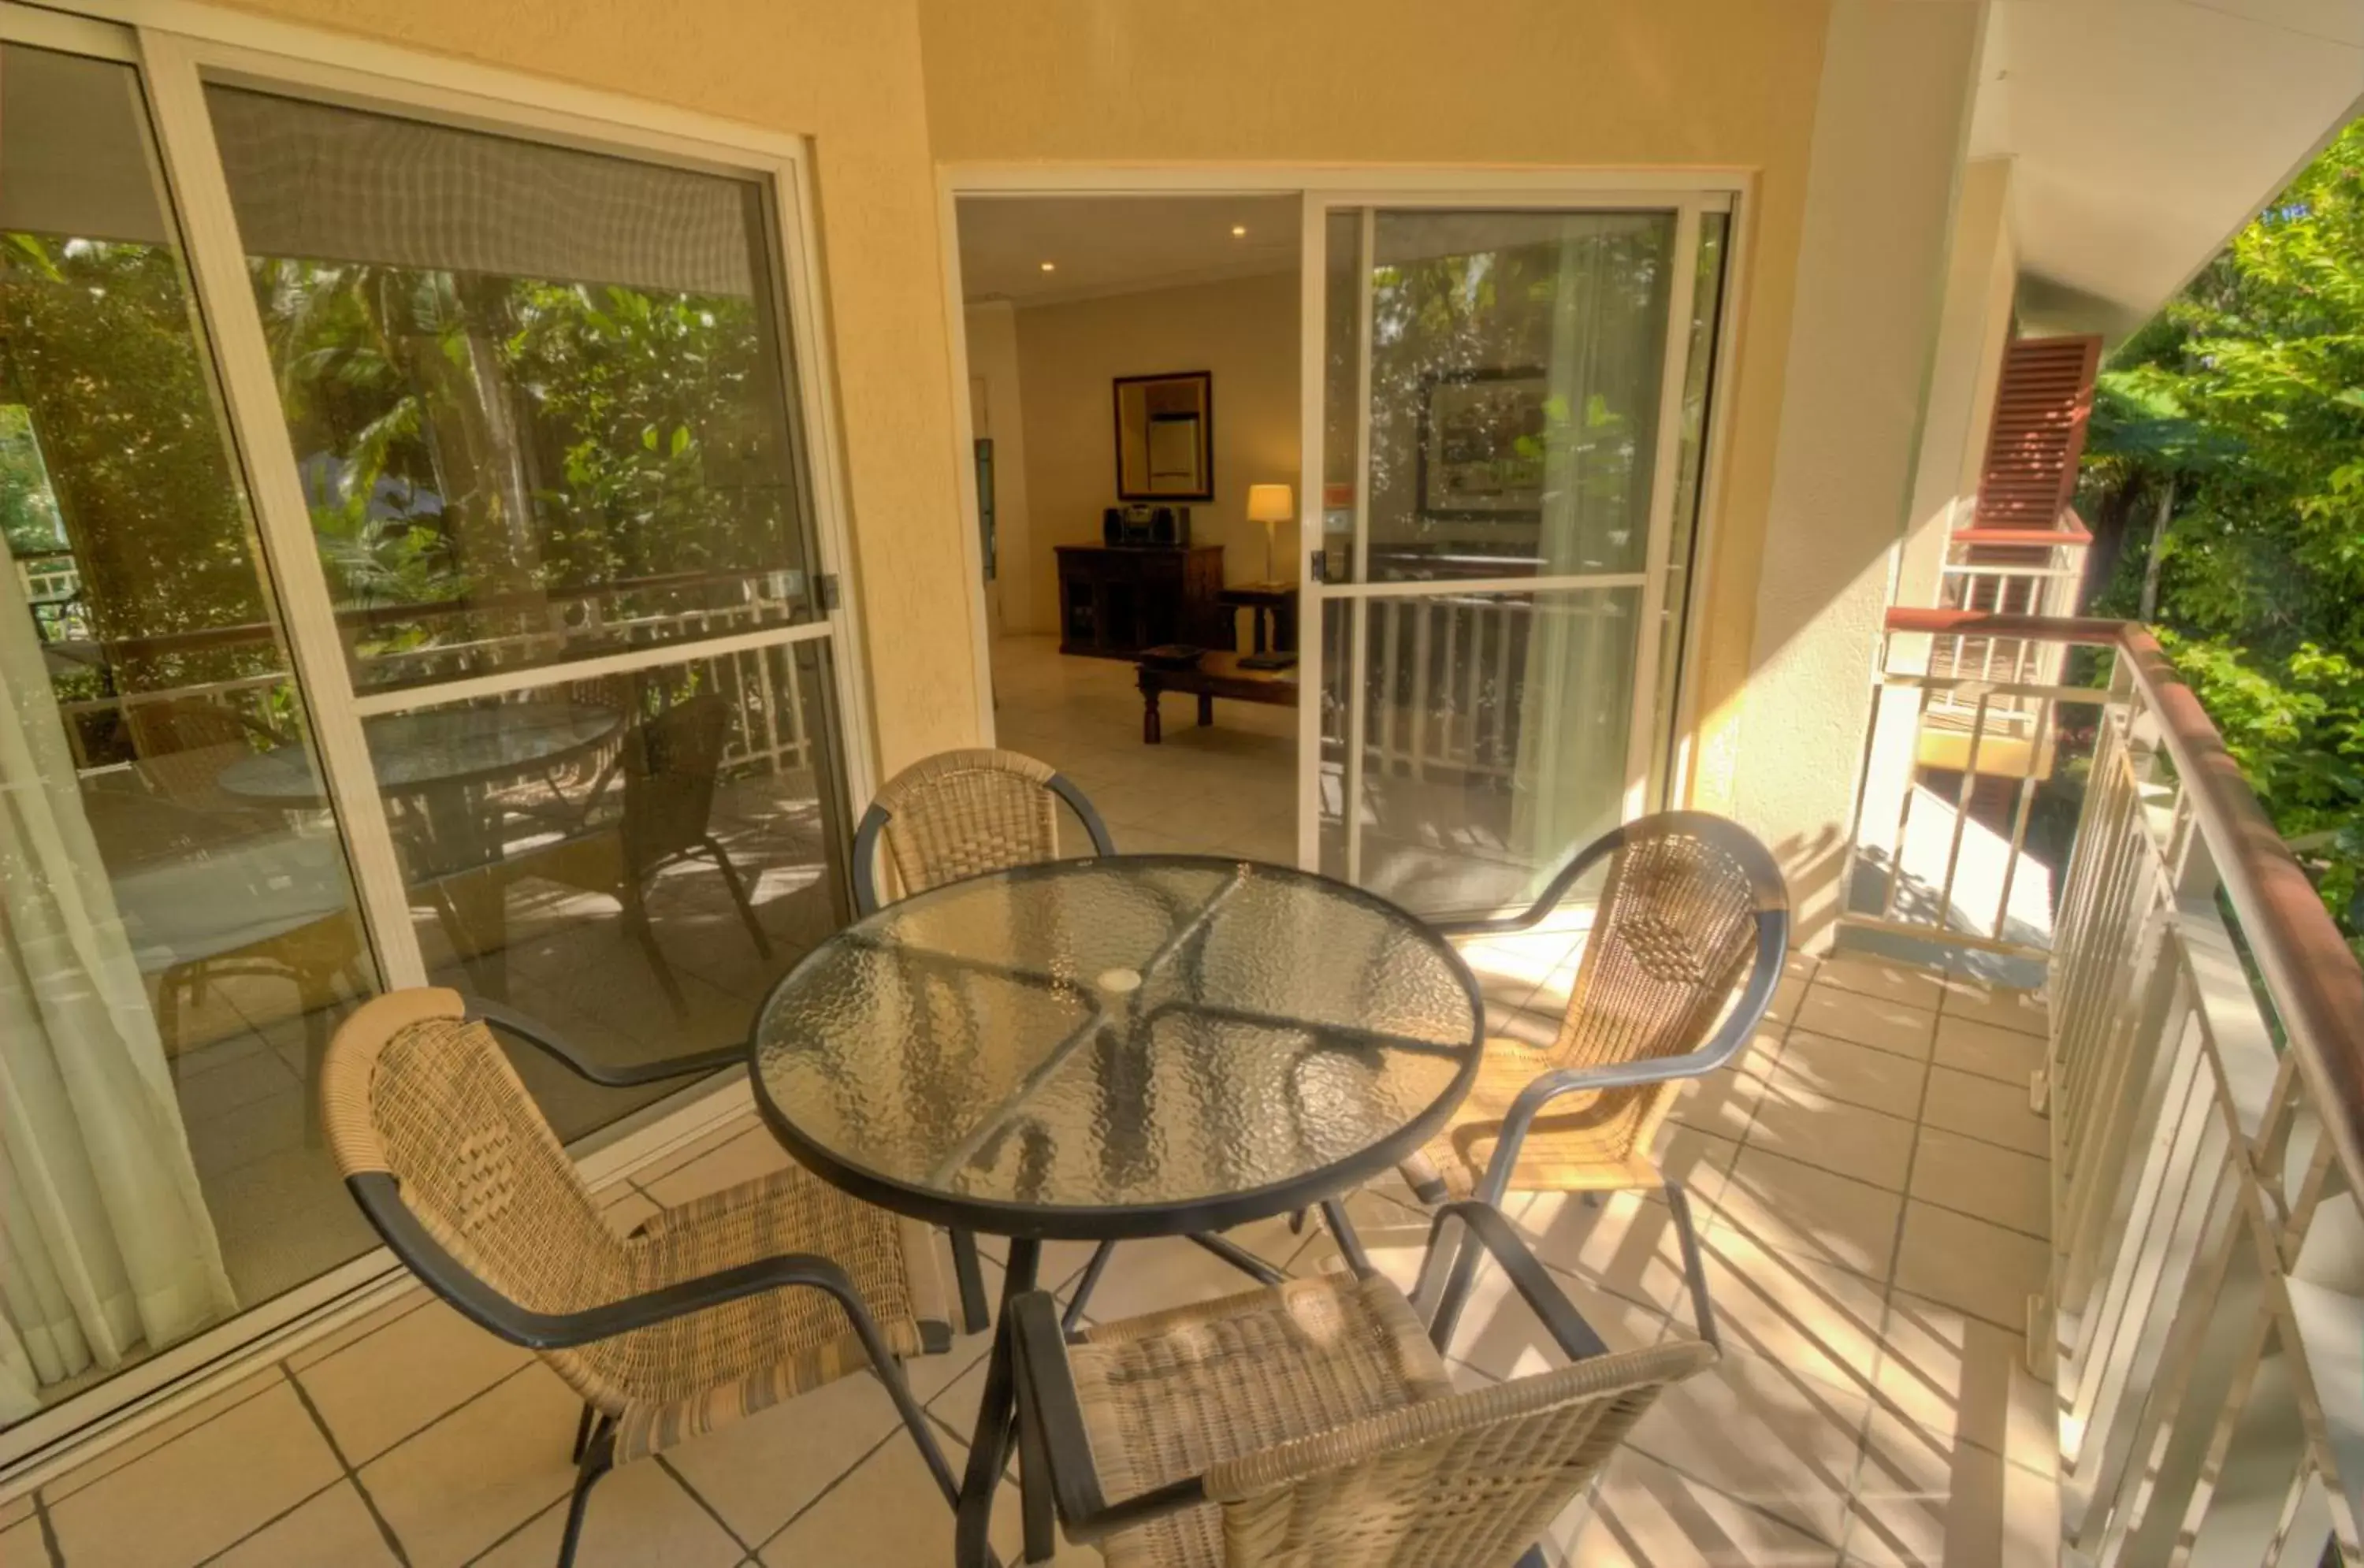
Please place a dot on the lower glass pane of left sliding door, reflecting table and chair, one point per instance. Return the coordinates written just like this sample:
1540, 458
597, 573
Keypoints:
630, 860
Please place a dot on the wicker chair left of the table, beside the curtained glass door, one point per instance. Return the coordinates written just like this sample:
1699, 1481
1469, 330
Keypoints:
706, 1314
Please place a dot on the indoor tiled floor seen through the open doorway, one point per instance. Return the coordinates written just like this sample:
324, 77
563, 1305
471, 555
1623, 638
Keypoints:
1223, 789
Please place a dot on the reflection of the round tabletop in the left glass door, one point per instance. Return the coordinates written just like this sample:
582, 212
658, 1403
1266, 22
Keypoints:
439, 746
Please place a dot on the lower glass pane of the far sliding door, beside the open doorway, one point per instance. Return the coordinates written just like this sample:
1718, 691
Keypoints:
1493, 741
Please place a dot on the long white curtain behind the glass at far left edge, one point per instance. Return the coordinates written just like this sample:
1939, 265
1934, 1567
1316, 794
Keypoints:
105, 1240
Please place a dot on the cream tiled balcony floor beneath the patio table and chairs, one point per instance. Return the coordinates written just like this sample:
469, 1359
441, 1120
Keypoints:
1871, 1191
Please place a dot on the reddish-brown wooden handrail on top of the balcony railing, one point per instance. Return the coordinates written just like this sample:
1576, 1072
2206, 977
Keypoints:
2313, 978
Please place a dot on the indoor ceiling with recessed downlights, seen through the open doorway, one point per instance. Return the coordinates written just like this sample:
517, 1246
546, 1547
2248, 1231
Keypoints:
1117, 245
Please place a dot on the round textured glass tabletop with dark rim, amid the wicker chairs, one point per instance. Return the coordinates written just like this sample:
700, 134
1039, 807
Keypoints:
1117, 1049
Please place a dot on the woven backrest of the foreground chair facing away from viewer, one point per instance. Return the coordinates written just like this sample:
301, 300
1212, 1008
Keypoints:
1462, 1482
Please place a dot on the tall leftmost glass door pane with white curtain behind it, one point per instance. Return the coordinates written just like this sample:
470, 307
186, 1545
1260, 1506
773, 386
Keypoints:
176, 952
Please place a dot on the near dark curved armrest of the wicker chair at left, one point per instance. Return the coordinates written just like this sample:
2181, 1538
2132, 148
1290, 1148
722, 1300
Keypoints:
382, 1203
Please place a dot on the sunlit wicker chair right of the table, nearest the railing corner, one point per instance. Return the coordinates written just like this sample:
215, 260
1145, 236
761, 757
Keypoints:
1694, 907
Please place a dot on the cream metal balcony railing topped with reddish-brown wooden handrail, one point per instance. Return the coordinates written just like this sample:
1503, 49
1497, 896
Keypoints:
2204, 1087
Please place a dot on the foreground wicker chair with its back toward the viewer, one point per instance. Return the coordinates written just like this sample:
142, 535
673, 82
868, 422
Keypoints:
1316, 1425
